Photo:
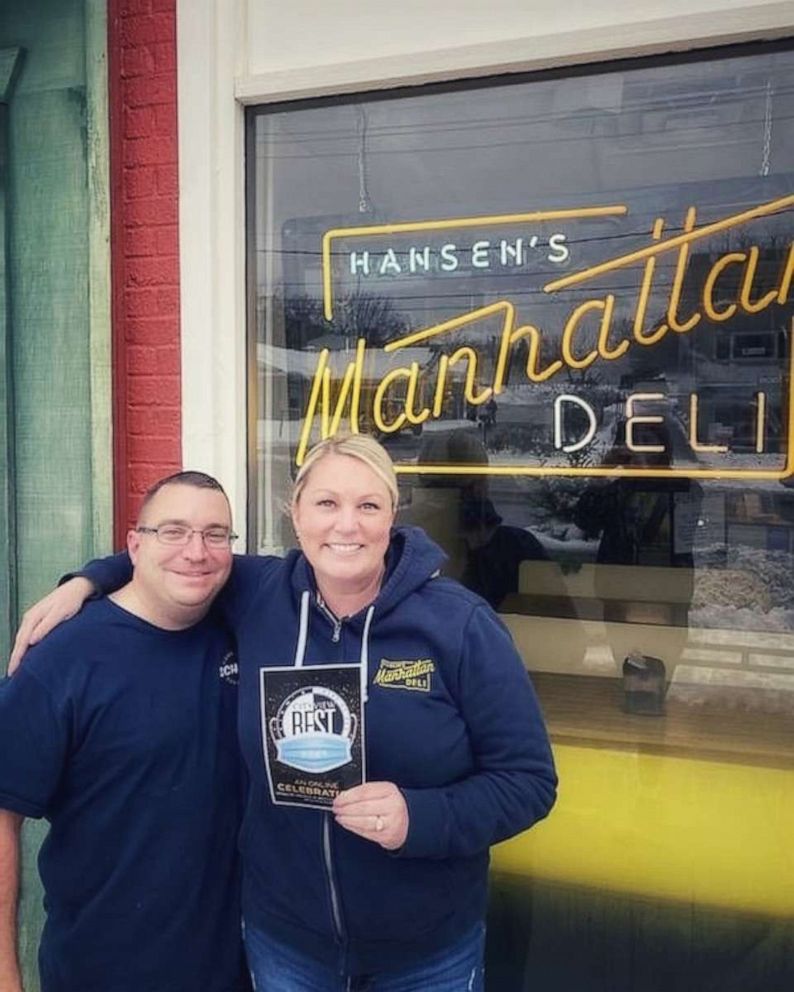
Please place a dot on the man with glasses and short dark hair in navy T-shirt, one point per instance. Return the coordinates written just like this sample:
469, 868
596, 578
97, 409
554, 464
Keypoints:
120, 730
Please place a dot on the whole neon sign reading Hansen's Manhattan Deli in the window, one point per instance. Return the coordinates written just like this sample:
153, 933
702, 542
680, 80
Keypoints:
410, 395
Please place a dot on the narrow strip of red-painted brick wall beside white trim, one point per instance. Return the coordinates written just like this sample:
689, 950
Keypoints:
144, 249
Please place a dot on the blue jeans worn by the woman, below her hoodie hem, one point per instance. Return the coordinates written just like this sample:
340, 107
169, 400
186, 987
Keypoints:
277, 968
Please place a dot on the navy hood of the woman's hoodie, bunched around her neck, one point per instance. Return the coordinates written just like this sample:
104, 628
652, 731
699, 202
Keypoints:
411, 560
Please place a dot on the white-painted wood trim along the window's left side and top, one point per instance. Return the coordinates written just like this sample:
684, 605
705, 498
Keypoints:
213, 88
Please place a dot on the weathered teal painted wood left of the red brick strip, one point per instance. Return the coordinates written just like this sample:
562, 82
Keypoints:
57, 325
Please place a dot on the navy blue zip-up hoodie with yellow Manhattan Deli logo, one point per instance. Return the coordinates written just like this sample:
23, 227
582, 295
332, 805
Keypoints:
470, 754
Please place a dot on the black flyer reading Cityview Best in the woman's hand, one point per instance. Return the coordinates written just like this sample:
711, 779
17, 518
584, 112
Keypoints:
312, 732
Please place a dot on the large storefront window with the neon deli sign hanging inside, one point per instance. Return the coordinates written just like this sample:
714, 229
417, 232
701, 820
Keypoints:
564, 303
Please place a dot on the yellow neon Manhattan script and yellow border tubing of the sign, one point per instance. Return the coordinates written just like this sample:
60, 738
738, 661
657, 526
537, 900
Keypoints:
402, 396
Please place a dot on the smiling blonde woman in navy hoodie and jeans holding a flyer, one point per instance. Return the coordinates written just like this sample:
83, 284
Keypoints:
388, 890
